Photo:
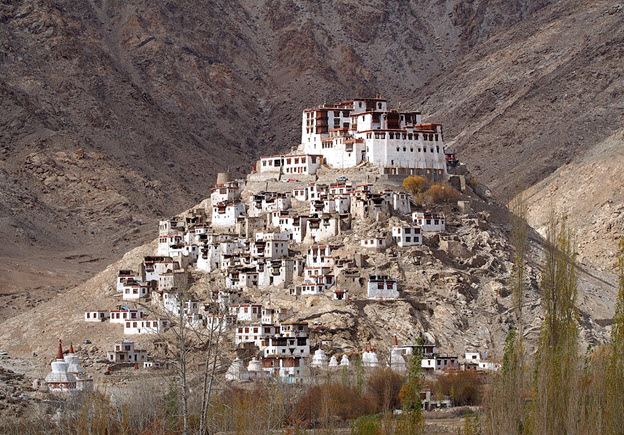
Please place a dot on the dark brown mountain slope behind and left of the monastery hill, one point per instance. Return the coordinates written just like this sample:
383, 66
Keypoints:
161, 94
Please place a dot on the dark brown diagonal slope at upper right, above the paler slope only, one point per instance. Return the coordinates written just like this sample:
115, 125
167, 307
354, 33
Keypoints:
532, 98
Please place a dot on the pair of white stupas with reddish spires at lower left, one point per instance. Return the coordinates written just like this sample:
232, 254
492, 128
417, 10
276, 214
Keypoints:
67, 374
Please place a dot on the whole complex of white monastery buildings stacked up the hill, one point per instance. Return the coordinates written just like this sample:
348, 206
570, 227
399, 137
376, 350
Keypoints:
281, 235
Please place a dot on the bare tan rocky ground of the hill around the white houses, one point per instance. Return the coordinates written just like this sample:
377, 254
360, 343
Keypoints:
453, 290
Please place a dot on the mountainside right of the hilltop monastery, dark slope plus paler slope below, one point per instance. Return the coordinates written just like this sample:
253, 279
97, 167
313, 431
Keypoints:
539, 107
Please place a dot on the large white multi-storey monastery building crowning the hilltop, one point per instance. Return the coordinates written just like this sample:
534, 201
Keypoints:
365, 130
